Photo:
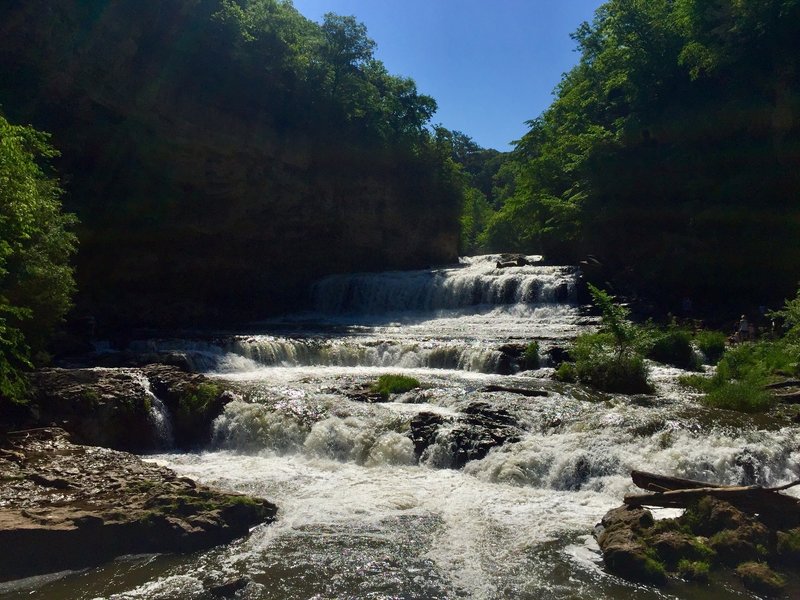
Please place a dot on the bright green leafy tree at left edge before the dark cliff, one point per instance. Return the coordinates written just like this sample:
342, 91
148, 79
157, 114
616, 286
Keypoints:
36, 244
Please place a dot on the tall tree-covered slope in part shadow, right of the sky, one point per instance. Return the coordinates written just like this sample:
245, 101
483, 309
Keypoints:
669, 145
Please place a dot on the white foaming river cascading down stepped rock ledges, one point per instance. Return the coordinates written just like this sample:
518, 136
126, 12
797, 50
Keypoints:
456, 490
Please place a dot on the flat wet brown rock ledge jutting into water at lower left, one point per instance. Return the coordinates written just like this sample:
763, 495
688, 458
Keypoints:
67, 506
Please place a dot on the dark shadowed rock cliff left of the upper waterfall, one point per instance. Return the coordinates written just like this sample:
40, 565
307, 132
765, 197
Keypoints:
197, 201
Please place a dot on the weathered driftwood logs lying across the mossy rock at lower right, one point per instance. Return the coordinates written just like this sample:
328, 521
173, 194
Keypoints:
674, 492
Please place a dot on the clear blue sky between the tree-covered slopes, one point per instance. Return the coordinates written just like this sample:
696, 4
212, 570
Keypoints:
491, 65
